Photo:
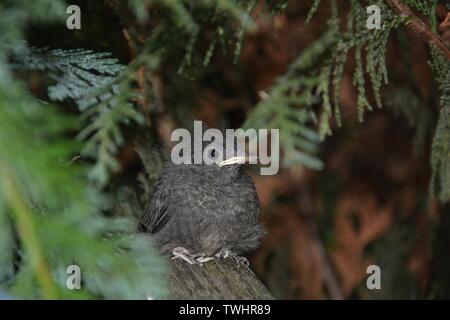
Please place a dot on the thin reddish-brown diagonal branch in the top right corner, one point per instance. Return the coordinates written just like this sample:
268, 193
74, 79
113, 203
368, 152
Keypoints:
419, 27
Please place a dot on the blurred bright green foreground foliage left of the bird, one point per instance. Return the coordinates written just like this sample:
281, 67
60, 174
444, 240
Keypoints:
50, 215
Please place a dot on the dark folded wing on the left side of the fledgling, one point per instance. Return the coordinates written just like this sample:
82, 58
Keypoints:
156, 212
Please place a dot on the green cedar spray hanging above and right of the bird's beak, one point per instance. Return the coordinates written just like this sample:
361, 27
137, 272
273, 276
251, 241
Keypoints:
317, 93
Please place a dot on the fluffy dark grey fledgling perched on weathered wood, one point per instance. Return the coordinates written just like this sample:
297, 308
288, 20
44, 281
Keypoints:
199, 211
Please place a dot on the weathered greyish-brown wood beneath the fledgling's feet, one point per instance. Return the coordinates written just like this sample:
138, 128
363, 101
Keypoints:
217, 279
